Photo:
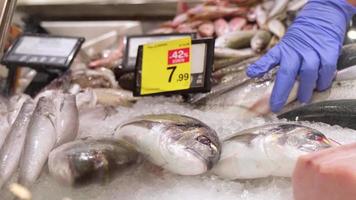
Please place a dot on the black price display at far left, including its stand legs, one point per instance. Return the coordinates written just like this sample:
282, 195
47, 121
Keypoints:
50, 56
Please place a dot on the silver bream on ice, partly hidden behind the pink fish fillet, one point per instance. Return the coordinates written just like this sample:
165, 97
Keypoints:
270, 150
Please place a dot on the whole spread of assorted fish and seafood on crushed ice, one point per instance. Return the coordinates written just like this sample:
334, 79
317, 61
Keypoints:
85, 136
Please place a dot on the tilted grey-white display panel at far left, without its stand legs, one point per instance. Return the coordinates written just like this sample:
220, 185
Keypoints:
43, 52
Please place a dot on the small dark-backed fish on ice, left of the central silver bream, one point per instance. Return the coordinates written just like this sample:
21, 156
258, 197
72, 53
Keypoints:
85, 161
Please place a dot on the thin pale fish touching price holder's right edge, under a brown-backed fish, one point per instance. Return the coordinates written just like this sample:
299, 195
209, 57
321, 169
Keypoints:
233, 53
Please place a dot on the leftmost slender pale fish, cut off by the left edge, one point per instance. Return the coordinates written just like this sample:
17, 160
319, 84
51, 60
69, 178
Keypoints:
11, 151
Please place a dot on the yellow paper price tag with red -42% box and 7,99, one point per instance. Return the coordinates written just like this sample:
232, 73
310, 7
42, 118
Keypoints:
166, 66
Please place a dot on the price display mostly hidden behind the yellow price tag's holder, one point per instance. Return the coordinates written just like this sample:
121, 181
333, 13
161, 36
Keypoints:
133, 43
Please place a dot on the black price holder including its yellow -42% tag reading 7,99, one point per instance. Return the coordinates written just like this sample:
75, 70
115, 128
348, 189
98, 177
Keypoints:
174, 67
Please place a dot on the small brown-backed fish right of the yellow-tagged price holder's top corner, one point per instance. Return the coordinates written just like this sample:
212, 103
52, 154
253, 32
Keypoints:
235, 40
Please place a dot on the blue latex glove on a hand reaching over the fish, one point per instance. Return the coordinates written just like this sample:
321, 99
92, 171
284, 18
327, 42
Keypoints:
310, 50
